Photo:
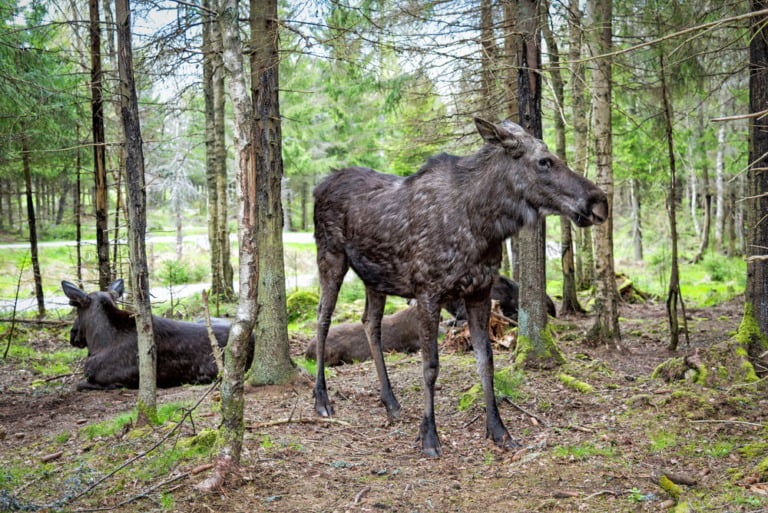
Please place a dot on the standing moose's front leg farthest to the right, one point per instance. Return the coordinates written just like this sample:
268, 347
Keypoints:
478, 315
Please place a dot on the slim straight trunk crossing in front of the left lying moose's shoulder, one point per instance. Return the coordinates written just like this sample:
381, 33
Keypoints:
137, 219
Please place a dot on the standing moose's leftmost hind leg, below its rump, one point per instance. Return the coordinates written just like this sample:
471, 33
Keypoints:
332, 268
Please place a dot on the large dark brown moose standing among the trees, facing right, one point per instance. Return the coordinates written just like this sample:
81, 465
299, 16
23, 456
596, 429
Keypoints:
436, 236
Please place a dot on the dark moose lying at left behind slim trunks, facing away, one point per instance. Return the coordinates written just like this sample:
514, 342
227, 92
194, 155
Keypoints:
184, 352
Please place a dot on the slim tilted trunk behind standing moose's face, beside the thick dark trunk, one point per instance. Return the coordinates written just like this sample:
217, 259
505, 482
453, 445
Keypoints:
570, 302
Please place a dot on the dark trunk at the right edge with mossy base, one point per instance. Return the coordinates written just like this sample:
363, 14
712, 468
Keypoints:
756, 204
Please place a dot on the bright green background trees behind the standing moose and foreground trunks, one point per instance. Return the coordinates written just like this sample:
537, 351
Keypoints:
385, 86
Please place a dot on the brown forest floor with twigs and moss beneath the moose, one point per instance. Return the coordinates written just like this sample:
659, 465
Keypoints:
600, 451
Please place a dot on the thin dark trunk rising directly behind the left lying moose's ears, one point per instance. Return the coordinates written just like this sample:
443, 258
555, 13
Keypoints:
99, 159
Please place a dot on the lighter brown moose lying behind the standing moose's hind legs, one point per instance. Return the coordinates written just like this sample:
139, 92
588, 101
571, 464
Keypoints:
348, 343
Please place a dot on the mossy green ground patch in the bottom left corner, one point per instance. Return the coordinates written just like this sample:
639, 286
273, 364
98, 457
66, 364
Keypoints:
28, 483
